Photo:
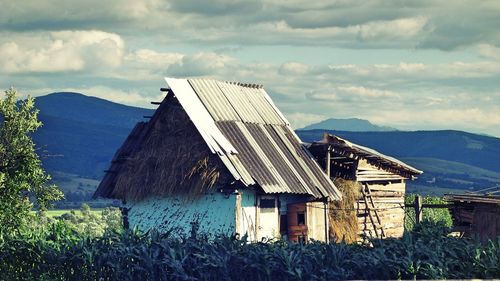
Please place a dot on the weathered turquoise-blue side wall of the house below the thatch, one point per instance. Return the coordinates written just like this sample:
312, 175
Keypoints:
215, 213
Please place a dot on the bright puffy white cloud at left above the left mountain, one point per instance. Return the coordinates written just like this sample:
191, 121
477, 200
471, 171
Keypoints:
60, 51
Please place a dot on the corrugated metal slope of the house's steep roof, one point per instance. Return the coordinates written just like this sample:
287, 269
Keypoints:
267, 152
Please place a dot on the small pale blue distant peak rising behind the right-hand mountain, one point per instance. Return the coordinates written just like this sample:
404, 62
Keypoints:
350, 124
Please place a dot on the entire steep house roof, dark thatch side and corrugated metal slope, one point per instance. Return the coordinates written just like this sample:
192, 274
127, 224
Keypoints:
238, 135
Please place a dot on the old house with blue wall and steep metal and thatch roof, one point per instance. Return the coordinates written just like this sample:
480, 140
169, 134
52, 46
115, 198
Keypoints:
220, 157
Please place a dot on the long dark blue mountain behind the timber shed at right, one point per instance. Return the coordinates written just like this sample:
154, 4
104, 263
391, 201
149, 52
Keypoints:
449, 159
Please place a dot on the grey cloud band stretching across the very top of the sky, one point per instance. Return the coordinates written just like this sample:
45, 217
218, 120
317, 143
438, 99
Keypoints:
359, 24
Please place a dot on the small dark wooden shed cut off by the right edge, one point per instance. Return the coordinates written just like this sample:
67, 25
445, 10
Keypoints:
476, 215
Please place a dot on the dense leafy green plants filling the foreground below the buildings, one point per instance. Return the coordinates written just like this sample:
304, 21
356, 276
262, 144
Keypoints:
61, 253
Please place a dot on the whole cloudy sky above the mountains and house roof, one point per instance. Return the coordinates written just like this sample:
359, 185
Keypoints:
412, 65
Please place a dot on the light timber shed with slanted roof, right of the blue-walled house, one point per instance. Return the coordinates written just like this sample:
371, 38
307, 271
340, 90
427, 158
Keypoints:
380, 179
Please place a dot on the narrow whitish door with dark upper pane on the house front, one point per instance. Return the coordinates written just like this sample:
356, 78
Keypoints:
268, 217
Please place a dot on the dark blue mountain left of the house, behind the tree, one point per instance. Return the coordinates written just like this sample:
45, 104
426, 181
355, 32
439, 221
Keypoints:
80, 134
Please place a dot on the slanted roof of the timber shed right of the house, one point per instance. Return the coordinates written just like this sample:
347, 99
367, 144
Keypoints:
349, 150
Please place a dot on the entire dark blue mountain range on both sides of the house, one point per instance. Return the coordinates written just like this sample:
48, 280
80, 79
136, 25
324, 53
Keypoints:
81, 134
